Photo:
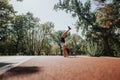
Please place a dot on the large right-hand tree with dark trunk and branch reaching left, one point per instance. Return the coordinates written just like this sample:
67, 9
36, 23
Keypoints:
89, 22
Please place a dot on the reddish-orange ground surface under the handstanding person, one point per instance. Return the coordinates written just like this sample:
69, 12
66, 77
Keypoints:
70, 68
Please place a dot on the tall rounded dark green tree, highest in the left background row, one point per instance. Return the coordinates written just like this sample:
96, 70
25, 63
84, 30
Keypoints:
20, 27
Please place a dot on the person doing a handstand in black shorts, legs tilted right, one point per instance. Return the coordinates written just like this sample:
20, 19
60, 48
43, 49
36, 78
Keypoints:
64, 47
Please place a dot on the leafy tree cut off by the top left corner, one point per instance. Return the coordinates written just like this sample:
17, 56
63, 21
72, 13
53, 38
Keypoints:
6, 14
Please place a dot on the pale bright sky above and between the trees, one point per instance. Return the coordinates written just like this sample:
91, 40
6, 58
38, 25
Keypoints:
43, 9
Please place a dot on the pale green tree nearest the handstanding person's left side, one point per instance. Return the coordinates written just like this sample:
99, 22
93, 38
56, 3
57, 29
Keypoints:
44, 36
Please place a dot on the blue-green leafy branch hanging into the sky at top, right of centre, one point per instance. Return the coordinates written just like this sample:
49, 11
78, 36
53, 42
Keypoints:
82, 11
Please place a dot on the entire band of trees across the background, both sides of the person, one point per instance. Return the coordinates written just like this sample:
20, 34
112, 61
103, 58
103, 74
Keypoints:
25, 35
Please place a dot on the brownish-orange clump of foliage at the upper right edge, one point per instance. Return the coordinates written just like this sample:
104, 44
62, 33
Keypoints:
108, 16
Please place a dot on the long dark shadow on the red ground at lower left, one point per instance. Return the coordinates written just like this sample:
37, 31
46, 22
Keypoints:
20, 70
